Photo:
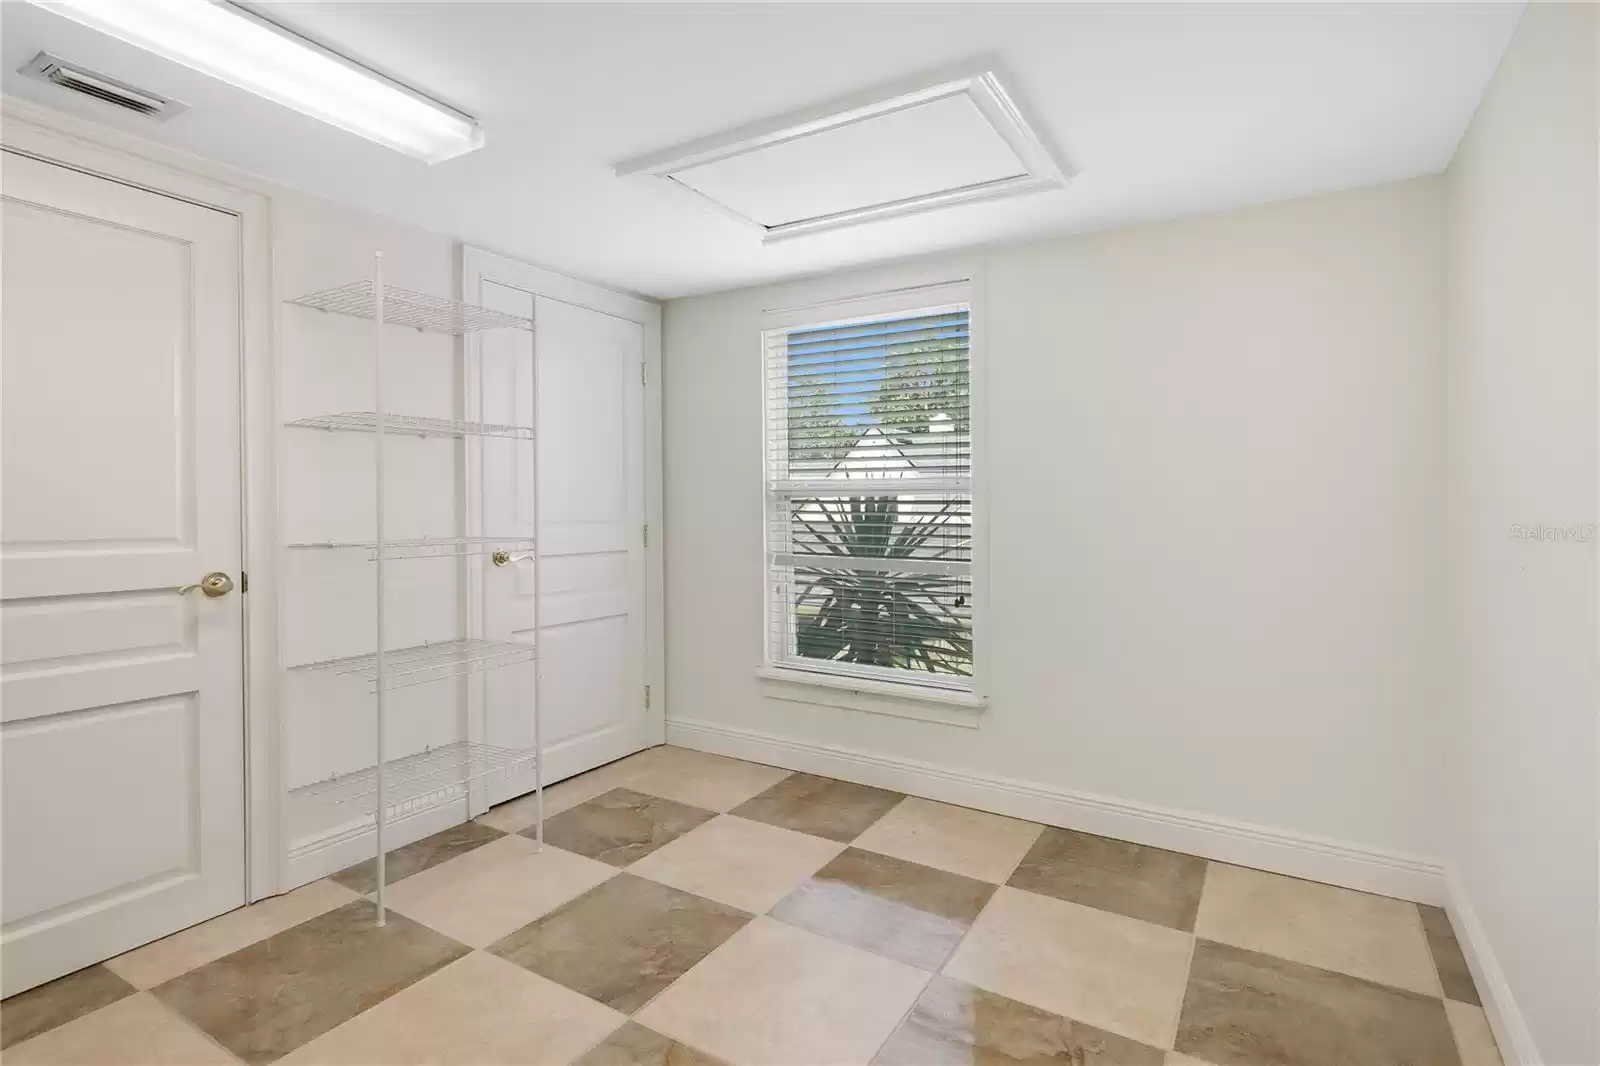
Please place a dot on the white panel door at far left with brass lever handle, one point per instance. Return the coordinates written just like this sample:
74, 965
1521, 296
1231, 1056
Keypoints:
121, 700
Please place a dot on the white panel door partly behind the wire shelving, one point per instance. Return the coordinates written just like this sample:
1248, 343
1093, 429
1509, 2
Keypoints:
590, 495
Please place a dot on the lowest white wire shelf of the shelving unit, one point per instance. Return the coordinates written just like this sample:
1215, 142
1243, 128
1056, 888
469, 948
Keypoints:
417, 783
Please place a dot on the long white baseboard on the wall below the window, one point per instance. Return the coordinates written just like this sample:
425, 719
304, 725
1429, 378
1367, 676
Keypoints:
1260, 848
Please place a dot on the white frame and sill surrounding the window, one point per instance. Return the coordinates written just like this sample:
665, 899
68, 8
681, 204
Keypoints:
874, 689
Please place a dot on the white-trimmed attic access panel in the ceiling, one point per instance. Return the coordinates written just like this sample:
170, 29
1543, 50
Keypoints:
866, 159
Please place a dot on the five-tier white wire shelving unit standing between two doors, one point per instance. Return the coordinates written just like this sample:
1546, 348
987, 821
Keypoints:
393, 790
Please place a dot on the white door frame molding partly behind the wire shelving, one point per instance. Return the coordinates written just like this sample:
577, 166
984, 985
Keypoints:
478, 266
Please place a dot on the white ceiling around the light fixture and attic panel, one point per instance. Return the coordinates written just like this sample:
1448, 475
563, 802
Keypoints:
1162, 110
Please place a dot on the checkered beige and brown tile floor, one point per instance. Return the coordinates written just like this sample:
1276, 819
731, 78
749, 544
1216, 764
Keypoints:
698, 912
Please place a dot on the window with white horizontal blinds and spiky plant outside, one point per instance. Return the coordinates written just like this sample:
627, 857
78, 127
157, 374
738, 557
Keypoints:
870, 492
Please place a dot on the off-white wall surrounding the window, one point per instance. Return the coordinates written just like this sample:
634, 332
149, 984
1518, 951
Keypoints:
1217, 519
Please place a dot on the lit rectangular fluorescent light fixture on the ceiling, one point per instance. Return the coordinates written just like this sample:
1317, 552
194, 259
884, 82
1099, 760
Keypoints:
233, 46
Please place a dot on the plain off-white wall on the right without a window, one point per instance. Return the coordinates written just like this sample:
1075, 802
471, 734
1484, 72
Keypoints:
1522, 443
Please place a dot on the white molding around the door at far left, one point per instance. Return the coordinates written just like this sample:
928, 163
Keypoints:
86, 146
